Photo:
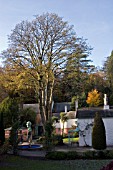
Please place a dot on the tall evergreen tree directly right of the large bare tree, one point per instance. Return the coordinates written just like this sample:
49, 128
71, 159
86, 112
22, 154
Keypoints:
76, 73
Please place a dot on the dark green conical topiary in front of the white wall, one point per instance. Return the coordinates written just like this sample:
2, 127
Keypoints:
98, 133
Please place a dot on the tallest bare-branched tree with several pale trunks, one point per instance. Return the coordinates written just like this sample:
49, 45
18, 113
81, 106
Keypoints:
44, 44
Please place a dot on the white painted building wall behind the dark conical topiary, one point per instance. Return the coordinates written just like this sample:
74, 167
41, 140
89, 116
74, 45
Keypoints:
108, 122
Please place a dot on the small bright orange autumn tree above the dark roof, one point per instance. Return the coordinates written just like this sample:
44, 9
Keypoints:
94, 98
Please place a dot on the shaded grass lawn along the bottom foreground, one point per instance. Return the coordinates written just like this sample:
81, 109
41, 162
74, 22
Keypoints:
20, 163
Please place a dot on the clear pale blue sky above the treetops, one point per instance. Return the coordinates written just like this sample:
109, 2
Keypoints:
92, 20
